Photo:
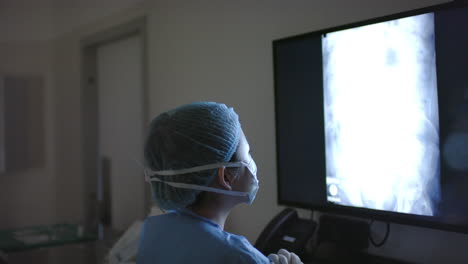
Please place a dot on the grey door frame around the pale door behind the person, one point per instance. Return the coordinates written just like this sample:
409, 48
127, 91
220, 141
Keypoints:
91, 157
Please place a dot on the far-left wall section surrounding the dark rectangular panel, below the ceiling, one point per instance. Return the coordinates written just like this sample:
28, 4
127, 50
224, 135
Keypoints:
27, 196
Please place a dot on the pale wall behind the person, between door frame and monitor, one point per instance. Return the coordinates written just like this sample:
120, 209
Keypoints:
221, 51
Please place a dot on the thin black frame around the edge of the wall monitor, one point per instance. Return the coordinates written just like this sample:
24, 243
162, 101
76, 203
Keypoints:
386, 216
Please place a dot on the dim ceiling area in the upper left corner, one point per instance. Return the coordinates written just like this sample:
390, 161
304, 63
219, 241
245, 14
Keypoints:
41, 20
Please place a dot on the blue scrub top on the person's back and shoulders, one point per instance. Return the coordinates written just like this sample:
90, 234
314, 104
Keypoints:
184, 237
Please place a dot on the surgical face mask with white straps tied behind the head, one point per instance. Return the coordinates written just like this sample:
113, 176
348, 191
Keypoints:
250, 165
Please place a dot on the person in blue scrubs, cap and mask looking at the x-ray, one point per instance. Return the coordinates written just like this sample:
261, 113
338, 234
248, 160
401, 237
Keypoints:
198, 163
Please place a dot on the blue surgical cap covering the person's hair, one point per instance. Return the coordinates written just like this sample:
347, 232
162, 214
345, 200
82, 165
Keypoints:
191, 135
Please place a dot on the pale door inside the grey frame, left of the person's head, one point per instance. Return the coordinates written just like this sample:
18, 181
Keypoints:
120, 85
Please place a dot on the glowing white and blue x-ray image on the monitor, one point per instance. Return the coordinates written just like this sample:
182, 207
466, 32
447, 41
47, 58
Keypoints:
381, 116
